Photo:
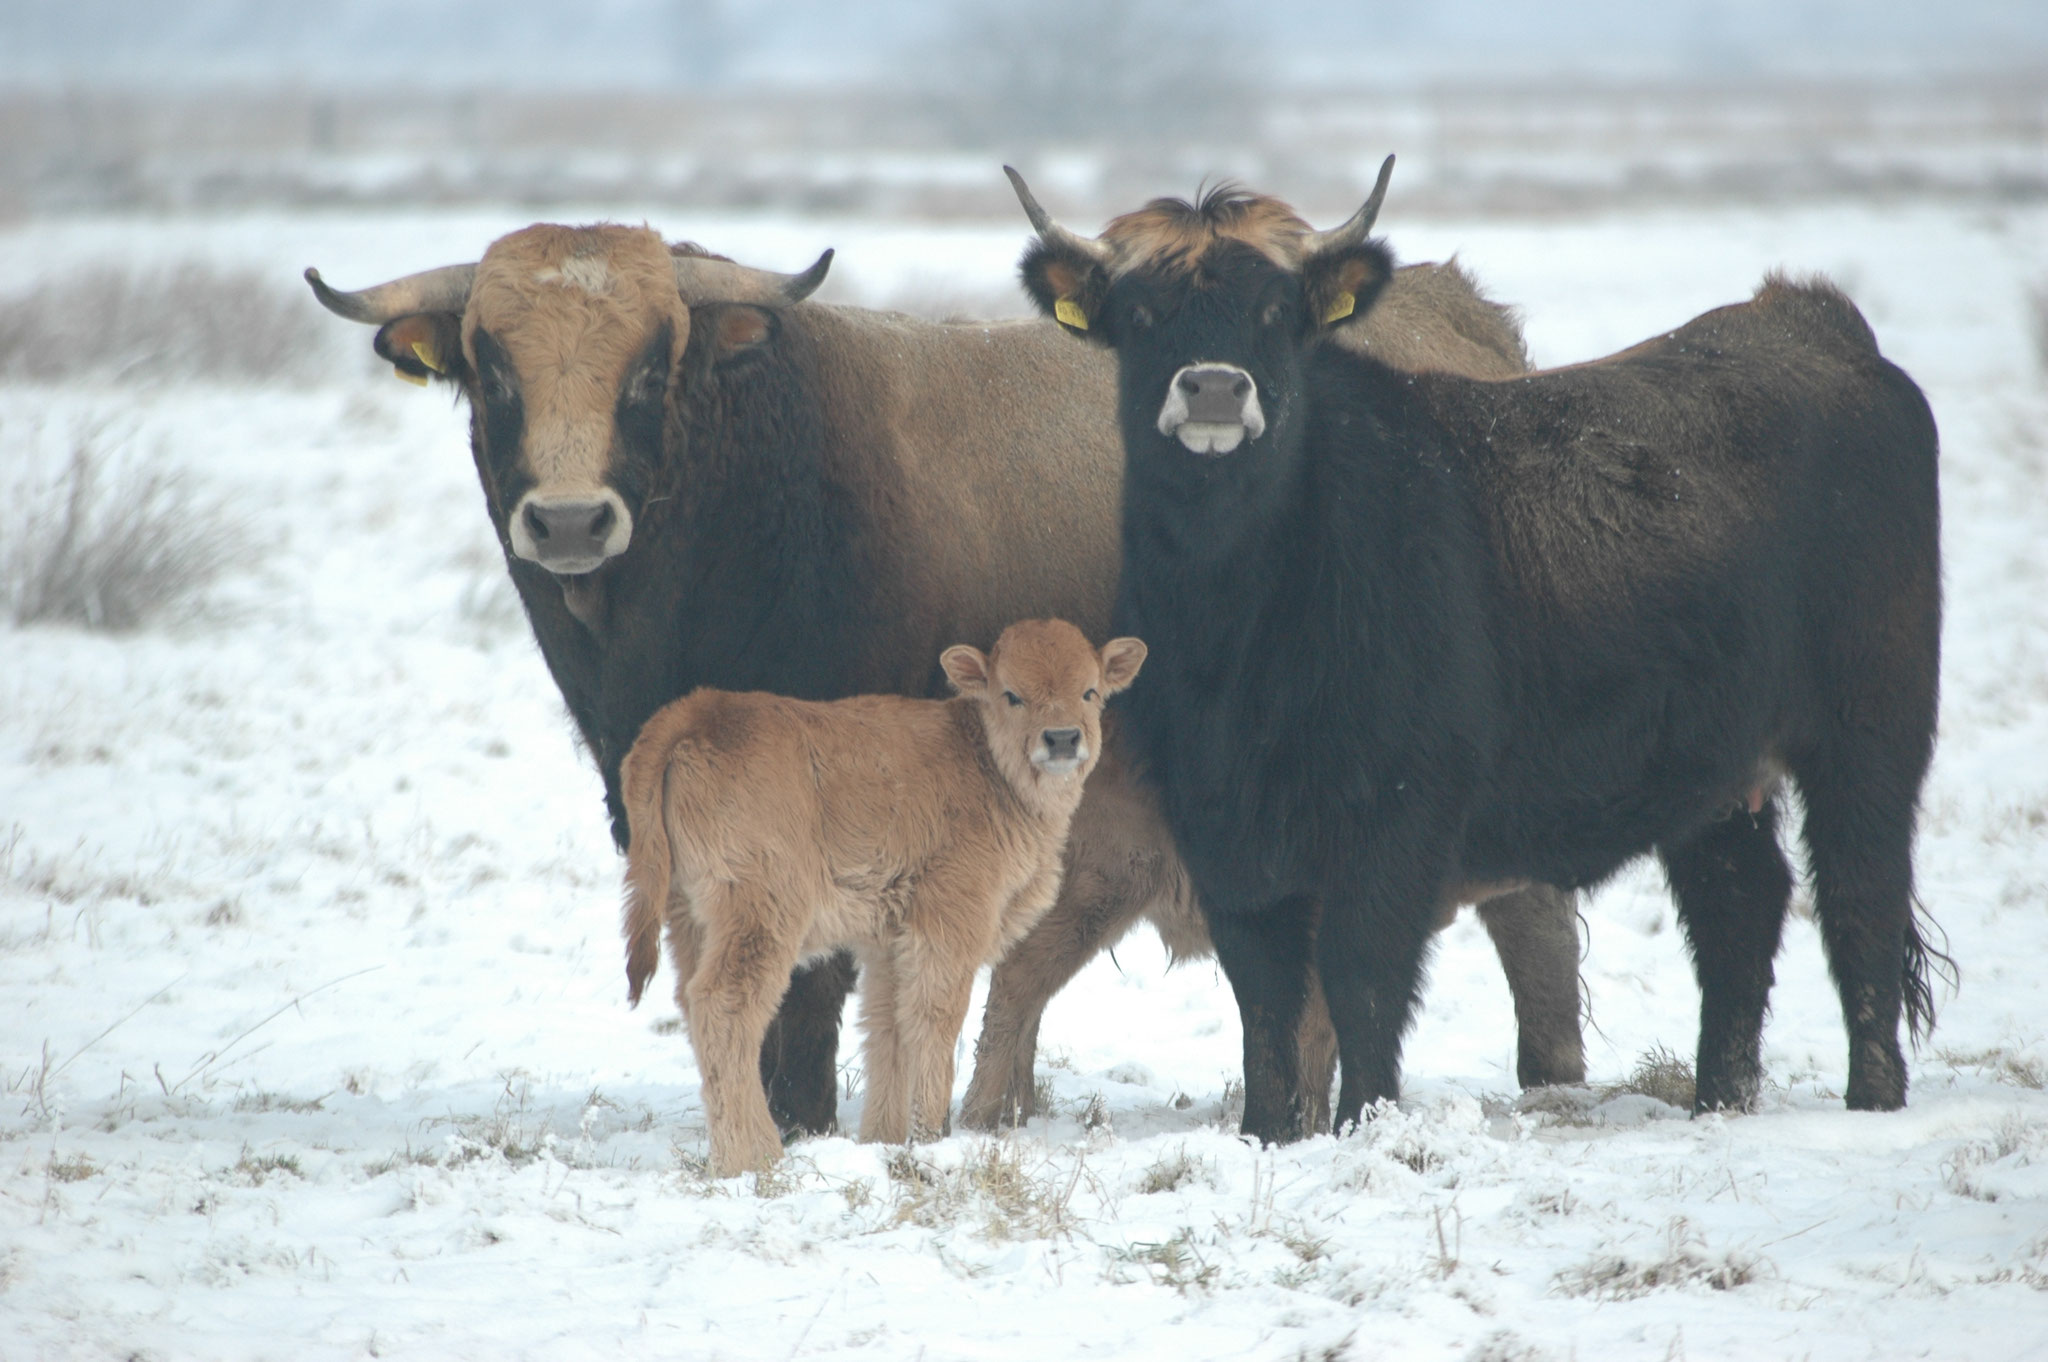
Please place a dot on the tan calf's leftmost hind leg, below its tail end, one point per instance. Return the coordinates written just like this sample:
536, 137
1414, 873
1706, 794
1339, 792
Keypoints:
740, 978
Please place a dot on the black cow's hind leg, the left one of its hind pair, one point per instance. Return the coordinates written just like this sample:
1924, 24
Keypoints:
1732, 884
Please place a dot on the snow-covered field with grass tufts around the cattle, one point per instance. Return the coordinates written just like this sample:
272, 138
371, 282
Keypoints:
312, 1011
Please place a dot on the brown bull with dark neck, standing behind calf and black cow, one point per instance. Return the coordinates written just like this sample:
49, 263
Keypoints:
816, 501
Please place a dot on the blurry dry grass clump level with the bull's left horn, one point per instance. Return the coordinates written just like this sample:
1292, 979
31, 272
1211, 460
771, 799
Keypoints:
185, 323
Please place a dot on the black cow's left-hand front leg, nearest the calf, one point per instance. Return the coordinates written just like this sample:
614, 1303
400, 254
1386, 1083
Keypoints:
1267, 957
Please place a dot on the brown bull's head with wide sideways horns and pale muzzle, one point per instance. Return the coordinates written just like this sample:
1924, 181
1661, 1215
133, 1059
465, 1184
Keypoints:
566, 343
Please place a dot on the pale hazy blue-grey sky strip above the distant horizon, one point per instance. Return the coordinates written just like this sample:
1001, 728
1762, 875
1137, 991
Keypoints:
902, 42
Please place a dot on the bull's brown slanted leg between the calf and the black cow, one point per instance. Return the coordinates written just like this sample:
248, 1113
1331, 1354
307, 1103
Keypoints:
1093, 912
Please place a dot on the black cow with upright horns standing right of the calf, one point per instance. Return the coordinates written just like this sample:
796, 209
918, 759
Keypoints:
1416, 632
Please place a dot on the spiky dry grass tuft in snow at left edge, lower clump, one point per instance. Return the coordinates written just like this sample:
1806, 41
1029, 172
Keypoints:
112, 544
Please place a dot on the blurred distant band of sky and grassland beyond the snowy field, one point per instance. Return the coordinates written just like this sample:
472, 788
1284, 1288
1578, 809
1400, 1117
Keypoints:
902, 108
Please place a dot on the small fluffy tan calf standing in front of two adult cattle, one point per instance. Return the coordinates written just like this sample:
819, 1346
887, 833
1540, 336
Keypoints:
923, 835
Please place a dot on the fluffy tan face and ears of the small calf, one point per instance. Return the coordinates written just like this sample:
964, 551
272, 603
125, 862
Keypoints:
1041, 693
